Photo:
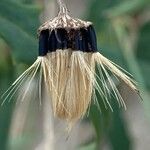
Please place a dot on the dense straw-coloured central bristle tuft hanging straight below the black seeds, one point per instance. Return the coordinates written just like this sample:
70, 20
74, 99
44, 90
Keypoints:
73, 81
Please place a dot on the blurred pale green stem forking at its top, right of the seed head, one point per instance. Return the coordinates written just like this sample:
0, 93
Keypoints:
128, 44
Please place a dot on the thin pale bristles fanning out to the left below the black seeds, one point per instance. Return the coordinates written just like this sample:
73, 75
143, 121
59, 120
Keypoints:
30, 80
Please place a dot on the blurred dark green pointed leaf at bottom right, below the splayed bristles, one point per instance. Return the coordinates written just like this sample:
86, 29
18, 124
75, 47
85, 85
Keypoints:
118, 134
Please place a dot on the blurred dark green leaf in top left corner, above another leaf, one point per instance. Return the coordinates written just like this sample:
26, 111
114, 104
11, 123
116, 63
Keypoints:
26, 16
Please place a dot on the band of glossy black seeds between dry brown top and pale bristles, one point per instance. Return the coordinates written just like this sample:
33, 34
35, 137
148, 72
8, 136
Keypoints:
82, 39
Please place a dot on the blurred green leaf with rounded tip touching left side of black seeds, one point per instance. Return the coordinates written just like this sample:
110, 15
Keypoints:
23, 45
